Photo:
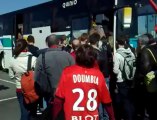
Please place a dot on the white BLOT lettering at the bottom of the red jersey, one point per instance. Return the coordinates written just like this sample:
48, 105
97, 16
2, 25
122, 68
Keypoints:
88, 117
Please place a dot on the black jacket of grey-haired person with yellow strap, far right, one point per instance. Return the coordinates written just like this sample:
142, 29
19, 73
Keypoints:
145, 63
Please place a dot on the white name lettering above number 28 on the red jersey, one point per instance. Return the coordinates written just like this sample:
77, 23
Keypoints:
84, 78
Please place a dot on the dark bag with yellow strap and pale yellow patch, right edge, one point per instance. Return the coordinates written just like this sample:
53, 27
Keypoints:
150, 78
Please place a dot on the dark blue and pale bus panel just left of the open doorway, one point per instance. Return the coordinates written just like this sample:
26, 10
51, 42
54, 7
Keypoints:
79, 26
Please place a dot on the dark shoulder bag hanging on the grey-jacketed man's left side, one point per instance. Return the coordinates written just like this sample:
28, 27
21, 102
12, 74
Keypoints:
43, 84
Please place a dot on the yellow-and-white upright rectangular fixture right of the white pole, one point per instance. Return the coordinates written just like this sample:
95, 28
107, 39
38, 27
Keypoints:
127, 17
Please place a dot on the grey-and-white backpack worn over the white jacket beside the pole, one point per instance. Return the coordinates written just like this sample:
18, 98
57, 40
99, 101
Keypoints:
128, 69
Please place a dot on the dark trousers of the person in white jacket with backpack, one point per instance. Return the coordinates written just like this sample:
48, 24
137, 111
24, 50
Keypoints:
124, 102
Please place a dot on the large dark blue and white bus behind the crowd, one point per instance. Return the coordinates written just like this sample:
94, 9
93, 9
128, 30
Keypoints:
66, 17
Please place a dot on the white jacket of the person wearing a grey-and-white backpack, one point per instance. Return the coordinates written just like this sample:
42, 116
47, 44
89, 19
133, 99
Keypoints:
118, 62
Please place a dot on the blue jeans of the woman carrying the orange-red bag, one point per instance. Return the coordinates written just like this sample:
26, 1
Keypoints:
24, 111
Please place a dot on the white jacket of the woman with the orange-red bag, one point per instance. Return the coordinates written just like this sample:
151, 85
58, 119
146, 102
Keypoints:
18, 66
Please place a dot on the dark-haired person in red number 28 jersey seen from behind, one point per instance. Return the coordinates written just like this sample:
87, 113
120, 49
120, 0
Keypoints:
82, 88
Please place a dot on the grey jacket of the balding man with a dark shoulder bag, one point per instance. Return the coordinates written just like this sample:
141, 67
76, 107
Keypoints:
56, 60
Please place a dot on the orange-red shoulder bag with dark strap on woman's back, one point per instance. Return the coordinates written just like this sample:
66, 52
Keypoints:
27, 84
